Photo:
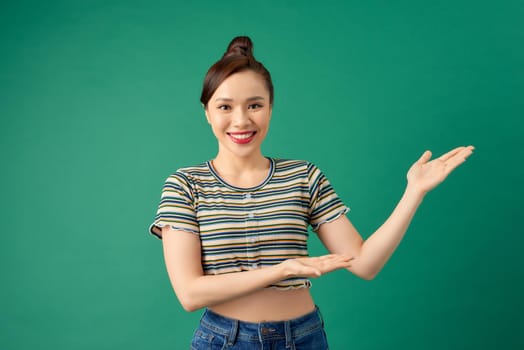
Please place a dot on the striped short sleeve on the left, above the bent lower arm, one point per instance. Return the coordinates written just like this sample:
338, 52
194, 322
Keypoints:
177, 206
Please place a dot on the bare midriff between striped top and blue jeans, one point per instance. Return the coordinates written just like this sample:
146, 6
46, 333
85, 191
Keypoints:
268, 305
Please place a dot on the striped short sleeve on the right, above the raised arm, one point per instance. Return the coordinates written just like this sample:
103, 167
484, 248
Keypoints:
324, 204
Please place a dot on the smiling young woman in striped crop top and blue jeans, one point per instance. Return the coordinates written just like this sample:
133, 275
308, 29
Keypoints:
234, 229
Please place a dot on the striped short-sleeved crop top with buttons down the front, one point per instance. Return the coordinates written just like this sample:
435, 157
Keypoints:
242, 229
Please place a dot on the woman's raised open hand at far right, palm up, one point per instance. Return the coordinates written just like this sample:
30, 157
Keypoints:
424, 175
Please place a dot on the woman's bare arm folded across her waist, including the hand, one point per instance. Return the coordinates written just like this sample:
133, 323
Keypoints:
196, 290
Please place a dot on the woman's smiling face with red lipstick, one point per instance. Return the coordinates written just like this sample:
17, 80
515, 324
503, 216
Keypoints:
239, 113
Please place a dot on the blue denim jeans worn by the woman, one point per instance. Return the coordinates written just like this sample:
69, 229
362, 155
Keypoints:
219, 332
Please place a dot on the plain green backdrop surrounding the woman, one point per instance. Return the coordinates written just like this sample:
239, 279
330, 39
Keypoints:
99, 103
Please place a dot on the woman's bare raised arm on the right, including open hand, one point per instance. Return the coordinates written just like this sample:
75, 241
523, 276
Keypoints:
341, 237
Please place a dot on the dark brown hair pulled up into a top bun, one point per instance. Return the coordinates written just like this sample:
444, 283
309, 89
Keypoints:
238, 57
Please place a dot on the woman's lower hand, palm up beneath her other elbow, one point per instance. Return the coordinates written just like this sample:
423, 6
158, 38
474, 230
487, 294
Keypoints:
315, 266
